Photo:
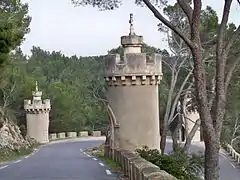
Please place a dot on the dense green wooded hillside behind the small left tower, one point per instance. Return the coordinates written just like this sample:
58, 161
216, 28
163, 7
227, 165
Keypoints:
75, 86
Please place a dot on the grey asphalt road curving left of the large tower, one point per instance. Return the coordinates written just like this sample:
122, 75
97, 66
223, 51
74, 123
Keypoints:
58, 161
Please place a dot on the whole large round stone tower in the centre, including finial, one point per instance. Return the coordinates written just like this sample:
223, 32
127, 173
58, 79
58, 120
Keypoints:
133, 94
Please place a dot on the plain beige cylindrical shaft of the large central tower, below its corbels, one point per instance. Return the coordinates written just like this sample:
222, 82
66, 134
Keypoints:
136, 109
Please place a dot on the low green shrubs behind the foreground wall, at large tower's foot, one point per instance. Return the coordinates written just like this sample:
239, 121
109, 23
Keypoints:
178, 164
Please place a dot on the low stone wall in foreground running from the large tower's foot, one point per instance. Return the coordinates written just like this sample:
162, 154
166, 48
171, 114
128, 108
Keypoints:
137, 168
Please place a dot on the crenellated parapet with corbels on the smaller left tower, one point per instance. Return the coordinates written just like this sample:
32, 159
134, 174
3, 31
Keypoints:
37, 105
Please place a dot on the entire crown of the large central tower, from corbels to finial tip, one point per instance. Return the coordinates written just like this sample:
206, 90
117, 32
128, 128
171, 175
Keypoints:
135, 68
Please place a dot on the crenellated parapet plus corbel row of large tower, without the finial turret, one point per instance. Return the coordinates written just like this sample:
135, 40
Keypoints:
134, 69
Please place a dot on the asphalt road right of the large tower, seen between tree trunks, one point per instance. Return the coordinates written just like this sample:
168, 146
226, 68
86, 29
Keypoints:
228, 169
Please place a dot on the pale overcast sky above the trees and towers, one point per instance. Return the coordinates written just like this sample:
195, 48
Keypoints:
85, 31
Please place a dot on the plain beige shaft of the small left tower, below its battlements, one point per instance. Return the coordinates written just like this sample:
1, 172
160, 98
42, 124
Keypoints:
37, 127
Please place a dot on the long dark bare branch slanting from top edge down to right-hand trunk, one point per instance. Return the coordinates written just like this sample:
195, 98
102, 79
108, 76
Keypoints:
160, 17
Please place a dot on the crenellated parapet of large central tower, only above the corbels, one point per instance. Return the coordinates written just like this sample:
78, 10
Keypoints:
137, 64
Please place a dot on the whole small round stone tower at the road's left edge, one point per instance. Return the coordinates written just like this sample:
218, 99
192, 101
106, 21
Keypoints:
37, 116
